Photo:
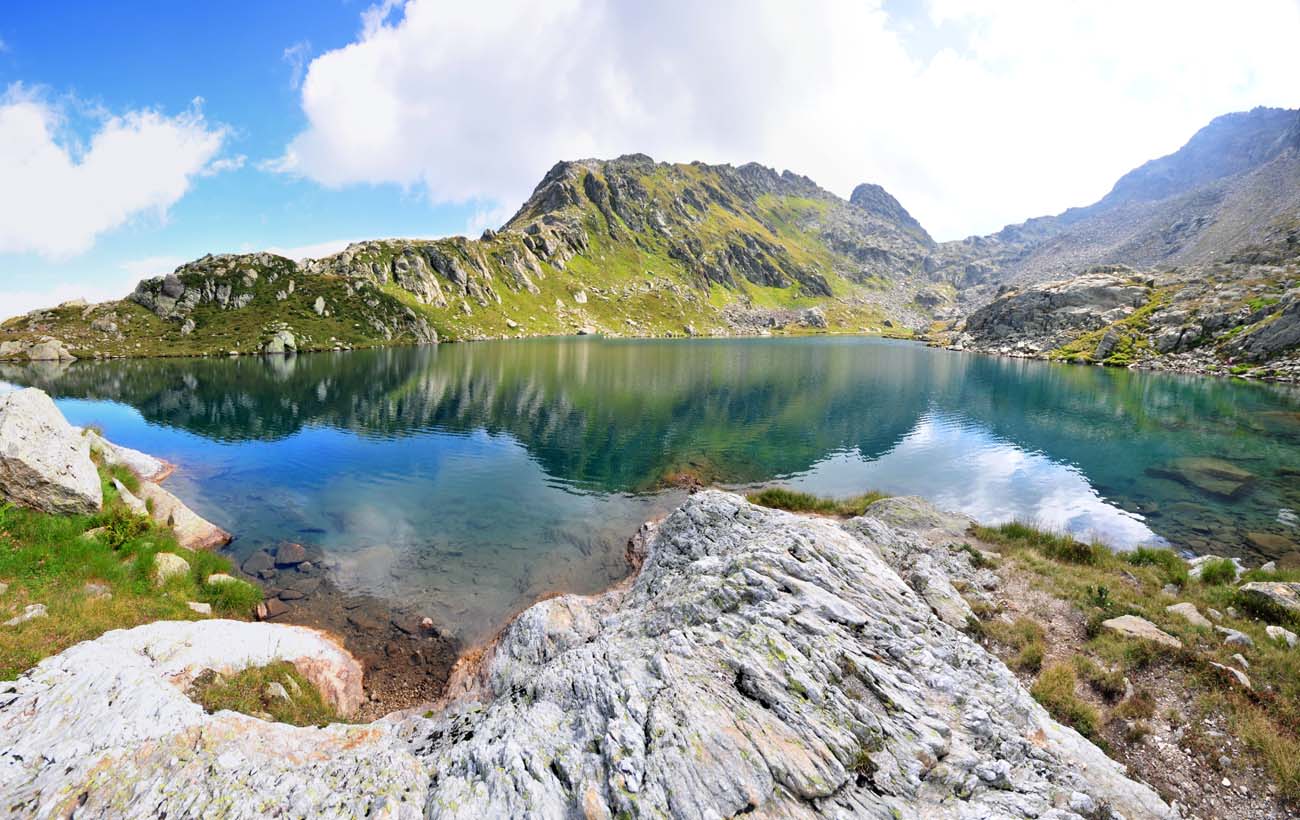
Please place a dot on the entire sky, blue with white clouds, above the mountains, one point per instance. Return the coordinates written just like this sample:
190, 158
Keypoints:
138, 136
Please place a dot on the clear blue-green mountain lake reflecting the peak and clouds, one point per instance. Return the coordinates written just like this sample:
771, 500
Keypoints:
469, 480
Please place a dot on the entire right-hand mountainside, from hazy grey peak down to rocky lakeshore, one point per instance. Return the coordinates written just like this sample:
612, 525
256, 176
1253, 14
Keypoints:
1215, 229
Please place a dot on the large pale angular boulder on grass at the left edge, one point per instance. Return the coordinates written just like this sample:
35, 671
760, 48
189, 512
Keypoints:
45, 463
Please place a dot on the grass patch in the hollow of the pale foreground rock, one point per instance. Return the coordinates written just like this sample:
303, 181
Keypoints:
255, 692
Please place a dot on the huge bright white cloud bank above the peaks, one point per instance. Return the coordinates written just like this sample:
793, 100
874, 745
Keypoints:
1026, 107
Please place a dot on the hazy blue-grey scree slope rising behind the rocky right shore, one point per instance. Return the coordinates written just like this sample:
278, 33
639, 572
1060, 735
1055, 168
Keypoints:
1233, 192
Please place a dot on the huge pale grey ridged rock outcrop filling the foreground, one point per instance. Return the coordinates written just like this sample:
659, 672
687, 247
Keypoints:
760, 662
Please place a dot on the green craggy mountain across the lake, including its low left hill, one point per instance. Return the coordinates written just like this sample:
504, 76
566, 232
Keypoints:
622, 248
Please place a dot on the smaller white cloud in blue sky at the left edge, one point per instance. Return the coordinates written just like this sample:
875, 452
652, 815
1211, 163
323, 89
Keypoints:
59, 196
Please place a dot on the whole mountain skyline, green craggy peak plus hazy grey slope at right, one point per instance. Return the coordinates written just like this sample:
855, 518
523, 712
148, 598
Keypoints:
636, 248
